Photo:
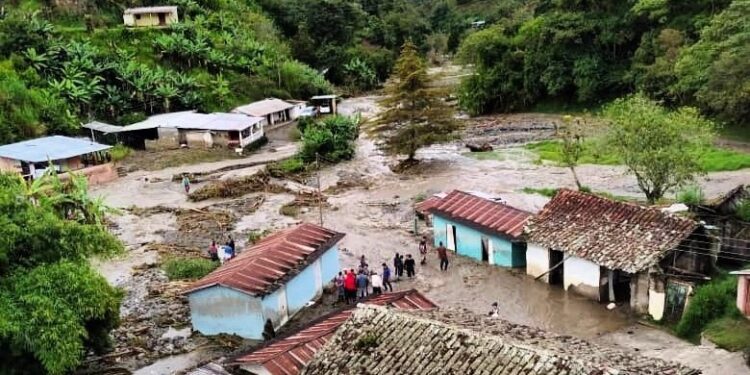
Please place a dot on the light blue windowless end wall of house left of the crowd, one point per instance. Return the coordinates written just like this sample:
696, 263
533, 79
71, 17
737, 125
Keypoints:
222, 310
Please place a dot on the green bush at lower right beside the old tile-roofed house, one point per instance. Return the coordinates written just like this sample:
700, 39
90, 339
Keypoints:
711, 301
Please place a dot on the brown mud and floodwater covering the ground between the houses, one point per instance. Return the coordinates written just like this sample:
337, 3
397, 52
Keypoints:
374, 207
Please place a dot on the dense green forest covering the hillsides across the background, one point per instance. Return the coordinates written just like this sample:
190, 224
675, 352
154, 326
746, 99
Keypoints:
66, 62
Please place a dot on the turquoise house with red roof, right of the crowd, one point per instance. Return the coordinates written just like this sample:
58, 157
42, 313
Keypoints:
480, 228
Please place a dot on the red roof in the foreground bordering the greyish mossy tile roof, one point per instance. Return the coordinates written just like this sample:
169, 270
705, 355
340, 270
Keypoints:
288, 355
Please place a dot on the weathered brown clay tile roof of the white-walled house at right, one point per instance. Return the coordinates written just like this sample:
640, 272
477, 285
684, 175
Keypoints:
615, 235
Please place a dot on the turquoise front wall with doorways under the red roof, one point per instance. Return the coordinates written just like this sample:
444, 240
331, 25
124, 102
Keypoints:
469, 243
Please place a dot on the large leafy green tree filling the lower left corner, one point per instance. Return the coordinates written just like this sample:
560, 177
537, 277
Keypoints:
53, 305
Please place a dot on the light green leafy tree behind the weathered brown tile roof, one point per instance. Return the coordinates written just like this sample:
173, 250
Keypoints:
660, 147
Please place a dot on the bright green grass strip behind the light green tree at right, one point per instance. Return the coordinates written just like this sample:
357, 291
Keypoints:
714, 159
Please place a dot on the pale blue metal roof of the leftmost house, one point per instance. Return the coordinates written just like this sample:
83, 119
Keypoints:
54, 147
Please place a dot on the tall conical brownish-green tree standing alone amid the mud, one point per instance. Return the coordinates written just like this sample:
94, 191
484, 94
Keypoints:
415, 114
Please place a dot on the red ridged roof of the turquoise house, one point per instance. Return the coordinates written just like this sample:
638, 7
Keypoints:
487, 214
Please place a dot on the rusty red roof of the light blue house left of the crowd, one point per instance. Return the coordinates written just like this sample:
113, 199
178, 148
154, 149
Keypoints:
262, 268
